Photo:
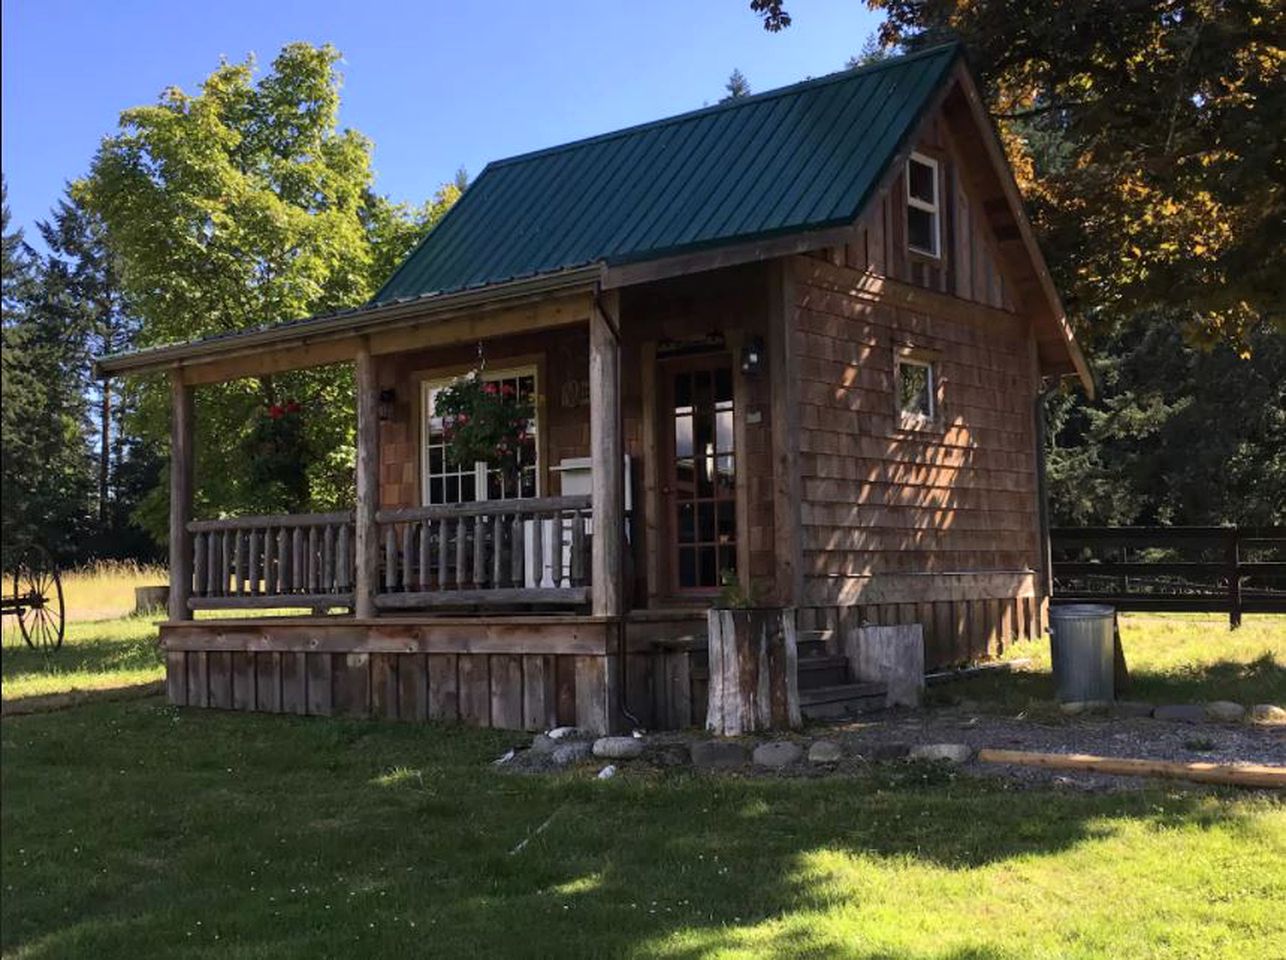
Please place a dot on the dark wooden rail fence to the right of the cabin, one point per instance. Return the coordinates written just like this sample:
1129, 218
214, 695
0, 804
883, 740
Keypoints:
1234, 570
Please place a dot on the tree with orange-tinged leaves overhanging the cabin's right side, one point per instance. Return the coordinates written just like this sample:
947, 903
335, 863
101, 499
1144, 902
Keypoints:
1173, 118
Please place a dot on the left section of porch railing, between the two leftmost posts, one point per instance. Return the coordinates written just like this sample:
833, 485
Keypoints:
287, 561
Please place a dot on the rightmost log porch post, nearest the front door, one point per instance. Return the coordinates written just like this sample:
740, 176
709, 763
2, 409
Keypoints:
608, 477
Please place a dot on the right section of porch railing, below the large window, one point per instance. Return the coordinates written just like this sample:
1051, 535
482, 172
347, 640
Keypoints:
505, 552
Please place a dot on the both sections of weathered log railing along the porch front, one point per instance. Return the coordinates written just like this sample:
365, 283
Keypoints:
533, 552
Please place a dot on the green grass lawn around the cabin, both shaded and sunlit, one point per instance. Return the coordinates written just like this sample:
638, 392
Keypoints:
134, 830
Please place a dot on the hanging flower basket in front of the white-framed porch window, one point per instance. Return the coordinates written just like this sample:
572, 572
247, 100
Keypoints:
484, 422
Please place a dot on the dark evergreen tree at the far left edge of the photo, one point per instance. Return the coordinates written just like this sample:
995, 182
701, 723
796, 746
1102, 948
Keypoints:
46, 467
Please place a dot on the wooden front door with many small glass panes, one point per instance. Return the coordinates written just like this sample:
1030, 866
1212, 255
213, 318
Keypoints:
699, 483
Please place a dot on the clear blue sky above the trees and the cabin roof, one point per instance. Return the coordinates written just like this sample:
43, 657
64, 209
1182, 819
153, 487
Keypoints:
435, 85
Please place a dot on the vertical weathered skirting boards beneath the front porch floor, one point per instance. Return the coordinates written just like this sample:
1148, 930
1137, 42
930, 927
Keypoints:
509, 673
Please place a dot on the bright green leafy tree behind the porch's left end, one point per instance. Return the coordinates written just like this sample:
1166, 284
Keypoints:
240, 206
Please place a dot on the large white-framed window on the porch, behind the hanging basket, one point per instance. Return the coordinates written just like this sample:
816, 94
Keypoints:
446, 481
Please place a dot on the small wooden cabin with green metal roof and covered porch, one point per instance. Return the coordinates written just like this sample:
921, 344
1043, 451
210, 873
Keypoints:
794, 340
